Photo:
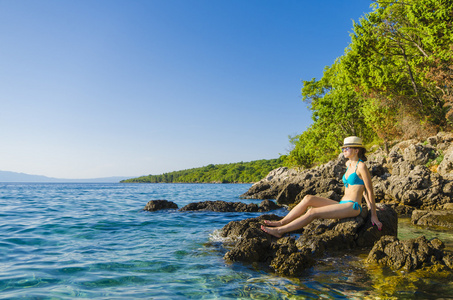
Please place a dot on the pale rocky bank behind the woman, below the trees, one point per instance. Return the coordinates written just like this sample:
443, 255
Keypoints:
412, 176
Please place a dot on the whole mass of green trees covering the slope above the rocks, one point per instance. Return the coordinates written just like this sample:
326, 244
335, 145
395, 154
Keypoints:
393, 82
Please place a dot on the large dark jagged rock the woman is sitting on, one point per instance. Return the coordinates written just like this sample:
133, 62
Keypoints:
289, 256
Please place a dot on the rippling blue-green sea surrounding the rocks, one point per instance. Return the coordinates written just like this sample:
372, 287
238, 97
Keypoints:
95, 241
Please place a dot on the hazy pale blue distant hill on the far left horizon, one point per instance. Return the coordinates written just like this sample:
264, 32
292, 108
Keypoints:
7, 176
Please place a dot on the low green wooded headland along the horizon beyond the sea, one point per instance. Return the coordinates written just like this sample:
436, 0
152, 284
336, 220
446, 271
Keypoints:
242, 172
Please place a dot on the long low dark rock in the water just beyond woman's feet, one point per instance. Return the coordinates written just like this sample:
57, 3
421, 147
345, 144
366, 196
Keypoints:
224, 206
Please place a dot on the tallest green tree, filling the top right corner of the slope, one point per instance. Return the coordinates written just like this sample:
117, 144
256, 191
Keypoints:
391, 53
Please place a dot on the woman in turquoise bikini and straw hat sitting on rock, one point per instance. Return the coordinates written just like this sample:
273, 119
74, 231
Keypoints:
357, 182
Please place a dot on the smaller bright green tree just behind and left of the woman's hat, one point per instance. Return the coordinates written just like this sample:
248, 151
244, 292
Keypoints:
337, 113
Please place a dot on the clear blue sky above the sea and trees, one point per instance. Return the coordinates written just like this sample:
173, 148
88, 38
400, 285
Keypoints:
97, 88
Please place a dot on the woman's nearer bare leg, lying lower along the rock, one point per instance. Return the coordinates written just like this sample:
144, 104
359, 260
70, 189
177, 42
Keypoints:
335, 211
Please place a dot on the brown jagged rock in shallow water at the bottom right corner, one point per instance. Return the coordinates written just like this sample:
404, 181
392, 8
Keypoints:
408, 254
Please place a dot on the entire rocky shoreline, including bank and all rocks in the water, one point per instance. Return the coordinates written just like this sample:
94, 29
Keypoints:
414, 179
